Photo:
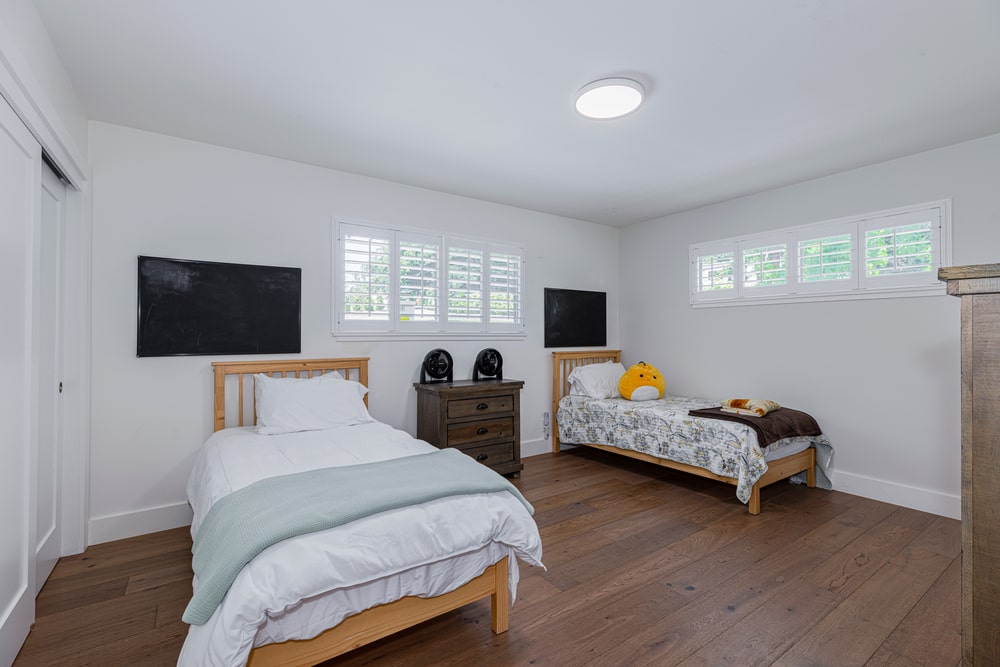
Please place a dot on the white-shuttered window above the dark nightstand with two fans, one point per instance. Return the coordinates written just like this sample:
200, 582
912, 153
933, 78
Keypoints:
405, 282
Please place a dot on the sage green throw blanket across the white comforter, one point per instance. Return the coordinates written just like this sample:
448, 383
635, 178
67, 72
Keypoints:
244, 523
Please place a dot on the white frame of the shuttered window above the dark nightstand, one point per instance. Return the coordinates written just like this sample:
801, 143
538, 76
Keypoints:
393, 327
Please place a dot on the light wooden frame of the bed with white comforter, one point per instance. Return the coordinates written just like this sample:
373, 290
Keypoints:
377, 622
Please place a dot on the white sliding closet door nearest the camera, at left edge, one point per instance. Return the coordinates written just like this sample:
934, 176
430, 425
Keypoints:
20, 175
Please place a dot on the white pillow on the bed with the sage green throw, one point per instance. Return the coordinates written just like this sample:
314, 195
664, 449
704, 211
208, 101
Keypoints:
287, 405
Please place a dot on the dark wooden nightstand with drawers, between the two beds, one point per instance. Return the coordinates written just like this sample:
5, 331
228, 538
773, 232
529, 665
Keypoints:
481, 418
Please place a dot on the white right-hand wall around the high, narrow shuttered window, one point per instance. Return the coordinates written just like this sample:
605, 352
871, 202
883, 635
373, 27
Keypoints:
881, 376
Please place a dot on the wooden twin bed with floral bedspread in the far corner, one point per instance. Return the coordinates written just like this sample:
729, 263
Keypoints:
663, 432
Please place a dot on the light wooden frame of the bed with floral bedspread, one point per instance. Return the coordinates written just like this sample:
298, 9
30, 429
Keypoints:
563, 364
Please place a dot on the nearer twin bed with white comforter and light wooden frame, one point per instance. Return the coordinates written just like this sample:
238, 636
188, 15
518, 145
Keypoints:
312, 597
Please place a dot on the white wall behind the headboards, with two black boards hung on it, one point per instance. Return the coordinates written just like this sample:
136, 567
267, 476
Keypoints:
163, 196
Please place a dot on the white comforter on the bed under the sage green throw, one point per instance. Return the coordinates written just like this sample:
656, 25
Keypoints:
299, 587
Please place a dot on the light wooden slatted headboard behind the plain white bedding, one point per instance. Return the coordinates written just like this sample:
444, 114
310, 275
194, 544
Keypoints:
238, 375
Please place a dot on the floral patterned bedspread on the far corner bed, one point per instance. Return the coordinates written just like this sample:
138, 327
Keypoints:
664, 429
